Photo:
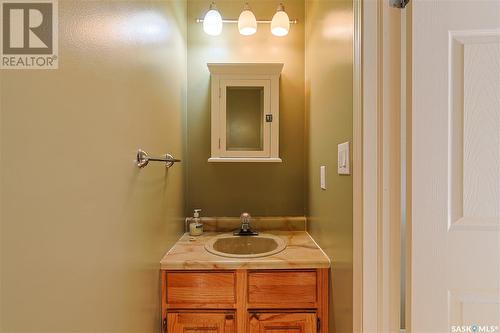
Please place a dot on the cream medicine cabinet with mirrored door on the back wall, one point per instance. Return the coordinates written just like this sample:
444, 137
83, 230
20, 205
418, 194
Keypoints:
245, 112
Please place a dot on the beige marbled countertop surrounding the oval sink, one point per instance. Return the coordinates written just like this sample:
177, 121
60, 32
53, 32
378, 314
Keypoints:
301, 252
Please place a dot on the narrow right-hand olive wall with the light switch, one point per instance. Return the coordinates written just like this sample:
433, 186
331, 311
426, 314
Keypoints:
329, 96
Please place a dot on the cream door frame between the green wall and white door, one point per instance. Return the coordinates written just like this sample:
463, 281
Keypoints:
378, 97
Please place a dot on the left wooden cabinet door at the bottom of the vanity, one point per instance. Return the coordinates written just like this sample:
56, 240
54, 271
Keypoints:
198, 322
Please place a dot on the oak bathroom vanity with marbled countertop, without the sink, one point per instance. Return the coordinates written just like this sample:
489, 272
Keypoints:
285, 291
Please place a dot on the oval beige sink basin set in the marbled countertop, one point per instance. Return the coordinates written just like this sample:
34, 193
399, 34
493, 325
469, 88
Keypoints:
231, 246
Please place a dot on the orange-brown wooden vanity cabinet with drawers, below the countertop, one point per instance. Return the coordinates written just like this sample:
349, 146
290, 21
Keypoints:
246, 301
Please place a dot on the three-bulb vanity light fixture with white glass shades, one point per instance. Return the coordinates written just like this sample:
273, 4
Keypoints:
247, 23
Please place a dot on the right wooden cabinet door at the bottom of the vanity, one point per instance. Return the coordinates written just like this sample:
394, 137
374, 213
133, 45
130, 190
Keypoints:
282, 322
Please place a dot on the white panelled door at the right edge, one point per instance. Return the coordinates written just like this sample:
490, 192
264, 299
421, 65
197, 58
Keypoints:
456, 166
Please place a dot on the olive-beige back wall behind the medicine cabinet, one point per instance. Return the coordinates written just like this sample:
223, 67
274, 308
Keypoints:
227, 189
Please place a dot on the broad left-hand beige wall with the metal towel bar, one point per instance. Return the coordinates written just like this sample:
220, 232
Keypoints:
83, 229
